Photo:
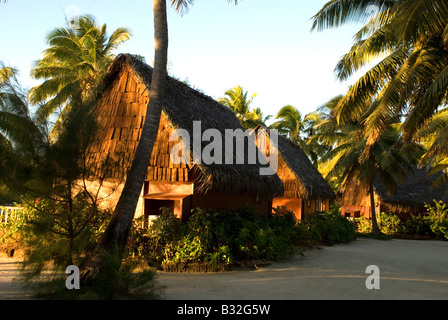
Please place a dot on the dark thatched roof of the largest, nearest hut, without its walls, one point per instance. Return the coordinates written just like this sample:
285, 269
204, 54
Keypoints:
182, 106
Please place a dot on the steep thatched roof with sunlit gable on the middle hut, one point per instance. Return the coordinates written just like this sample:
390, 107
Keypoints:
307, 180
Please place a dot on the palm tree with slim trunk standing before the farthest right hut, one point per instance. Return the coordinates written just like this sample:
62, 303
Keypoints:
347, 142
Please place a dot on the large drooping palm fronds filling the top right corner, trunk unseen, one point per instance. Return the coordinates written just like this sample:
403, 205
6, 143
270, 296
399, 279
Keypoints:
407, 42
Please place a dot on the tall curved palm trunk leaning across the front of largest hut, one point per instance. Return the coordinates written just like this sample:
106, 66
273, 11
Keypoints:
115, 237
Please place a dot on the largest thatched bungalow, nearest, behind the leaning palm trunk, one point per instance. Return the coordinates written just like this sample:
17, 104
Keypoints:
121, 112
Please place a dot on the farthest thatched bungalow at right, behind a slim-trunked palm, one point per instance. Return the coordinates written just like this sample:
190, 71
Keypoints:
410, 196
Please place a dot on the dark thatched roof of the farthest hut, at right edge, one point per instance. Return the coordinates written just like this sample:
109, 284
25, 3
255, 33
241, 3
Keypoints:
414, 192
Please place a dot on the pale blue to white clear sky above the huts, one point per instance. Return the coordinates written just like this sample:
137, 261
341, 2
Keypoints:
266, 47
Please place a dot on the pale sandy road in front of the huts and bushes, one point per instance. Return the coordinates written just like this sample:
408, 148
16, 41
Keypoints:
407, 270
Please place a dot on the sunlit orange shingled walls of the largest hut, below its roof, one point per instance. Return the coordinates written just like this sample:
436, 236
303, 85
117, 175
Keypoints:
121, 115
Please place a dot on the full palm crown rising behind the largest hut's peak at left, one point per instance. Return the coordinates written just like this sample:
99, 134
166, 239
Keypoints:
73, 65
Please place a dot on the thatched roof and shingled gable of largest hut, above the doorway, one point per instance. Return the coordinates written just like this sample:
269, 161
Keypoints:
121, 112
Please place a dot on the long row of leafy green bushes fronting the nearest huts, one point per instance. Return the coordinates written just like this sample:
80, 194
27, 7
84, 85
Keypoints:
220, 238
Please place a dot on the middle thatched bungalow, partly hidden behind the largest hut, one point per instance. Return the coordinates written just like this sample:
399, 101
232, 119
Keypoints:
305, 190
